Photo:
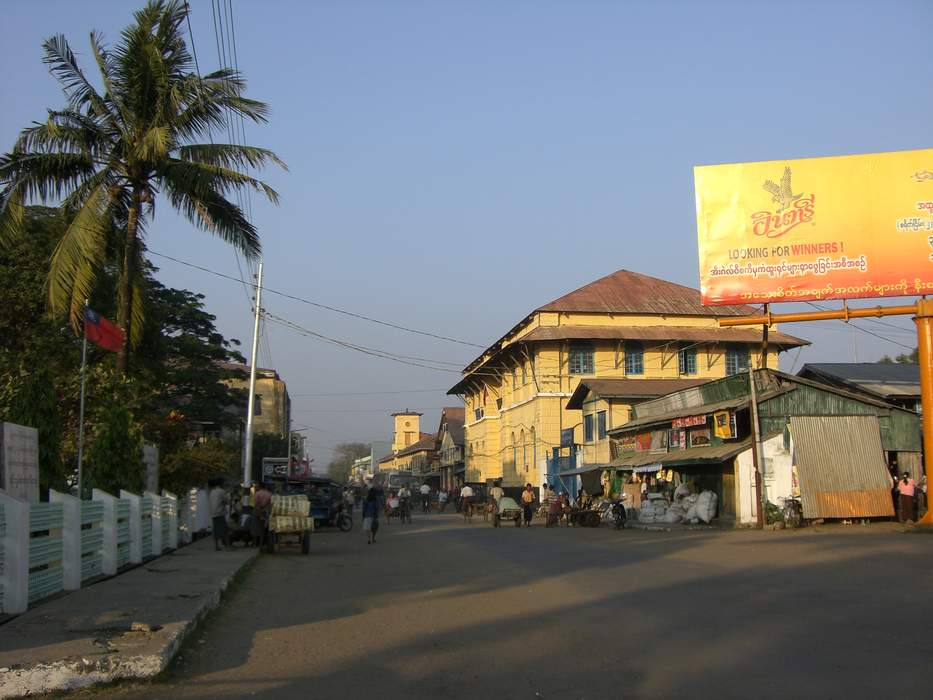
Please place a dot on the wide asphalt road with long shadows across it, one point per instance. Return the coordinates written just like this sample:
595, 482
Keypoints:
440, 609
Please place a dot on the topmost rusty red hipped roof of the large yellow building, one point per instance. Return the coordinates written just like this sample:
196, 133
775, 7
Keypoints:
627, 292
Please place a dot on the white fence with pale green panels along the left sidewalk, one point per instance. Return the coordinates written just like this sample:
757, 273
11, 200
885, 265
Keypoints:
46, 548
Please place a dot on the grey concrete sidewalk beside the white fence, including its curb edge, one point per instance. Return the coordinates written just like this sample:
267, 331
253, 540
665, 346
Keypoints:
129, 626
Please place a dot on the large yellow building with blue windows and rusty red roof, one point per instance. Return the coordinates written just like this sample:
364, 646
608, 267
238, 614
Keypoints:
623, 326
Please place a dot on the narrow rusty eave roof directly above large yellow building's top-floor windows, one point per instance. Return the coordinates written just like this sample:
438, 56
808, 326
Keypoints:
713, 334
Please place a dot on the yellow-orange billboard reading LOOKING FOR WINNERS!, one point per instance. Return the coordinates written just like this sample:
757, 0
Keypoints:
845, 227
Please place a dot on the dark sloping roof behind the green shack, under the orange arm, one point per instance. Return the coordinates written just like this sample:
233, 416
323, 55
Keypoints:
895, 383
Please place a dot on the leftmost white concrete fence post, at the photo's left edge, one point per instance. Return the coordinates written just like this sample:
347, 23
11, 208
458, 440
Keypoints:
14, 555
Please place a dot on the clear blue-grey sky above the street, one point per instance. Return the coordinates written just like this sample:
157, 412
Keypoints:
453, 165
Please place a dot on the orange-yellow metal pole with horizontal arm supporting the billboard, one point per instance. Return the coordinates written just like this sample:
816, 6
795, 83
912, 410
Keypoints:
922, 312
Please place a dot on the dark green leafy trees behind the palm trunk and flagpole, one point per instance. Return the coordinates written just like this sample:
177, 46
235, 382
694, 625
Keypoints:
178, 385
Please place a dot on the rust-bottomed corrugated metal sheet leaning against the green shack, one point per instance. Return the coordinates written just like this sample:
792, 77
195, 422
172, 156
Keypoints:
841, 467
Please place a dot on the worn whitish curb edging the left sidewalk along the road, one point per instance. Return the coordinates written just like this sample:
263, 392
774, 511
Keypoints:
74, 673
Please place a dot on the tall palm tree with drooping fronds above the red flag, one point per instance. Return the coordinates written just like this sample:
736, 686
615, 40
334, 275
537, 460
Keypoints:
107, 155
